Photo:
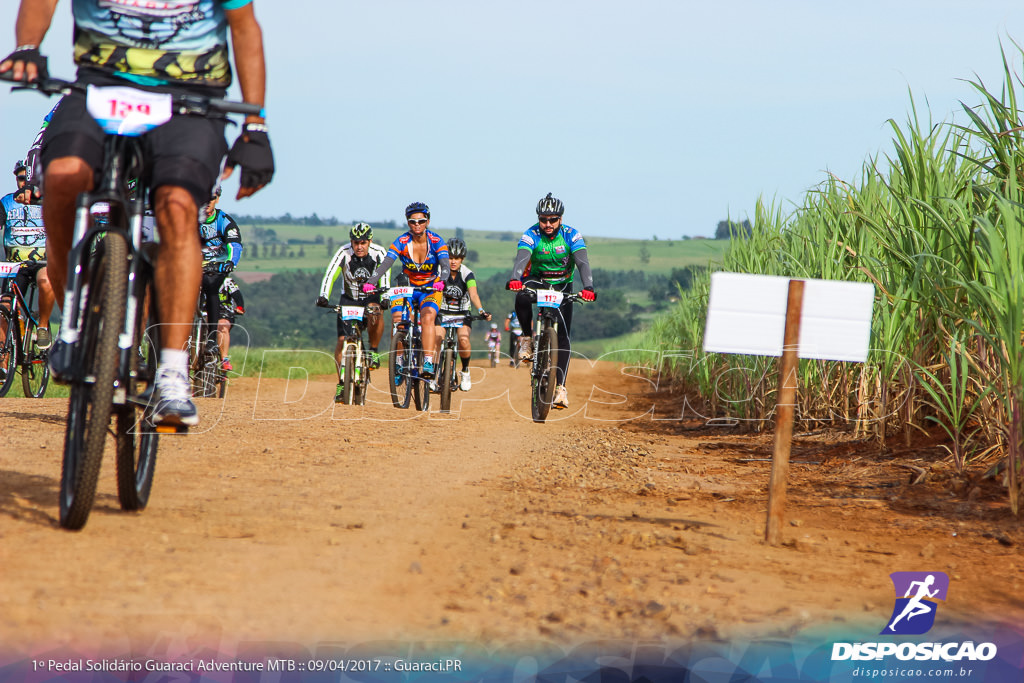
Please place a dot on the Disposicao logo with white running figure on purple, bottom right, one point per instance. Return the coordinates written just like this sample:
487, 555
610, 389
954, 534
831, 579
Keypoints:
914, 615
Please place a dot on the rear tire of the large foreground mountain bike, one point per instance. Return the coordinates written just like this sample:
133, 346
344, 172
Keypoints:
137, 436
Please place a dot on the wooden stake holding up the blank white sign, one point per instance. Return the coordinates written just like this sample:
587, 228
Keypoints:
785, 408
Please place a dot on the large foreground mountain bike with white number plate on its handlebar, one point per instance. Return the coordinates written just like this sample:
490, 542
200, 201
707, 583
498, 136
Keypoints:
110, 324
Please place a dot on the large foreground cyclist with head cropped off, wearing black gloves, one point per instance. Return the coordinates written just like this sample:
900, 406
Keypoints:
180, 49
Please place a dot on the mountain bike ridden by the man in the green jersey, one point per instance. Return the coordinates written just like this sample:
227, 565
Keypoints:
545, 362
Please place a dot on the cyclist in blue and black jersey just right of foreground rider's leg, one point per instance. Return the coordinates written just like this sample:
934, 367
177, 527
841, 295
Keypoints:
221, 240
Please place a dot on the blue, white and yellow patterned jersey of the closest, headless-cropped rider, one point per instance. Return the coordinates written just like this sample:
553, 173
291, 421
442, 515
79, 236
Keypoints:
153, 42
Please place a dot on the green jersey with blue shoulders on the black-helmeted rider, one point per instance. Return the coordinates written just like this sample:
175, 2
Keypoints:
552, 261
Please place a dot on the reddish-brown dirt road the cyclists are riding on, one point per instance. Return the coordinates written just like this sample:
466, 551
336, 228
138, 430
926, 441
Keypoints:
287, 520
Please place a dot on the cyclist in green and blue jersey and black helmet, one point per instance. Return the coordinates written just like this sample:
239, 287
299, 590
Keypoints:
548, 255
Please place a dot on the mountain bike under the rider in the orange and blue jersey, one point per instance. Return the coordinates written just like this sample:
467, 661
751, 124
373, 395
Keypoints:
407, 354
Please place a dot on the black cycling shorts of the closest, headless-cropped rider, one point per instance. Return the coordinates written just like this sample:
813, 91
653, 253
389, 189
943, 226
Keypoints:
187, 152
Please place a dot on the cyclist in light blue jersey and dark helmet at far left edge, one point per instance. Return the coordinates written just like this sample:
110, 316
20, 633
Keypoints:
25, 242
